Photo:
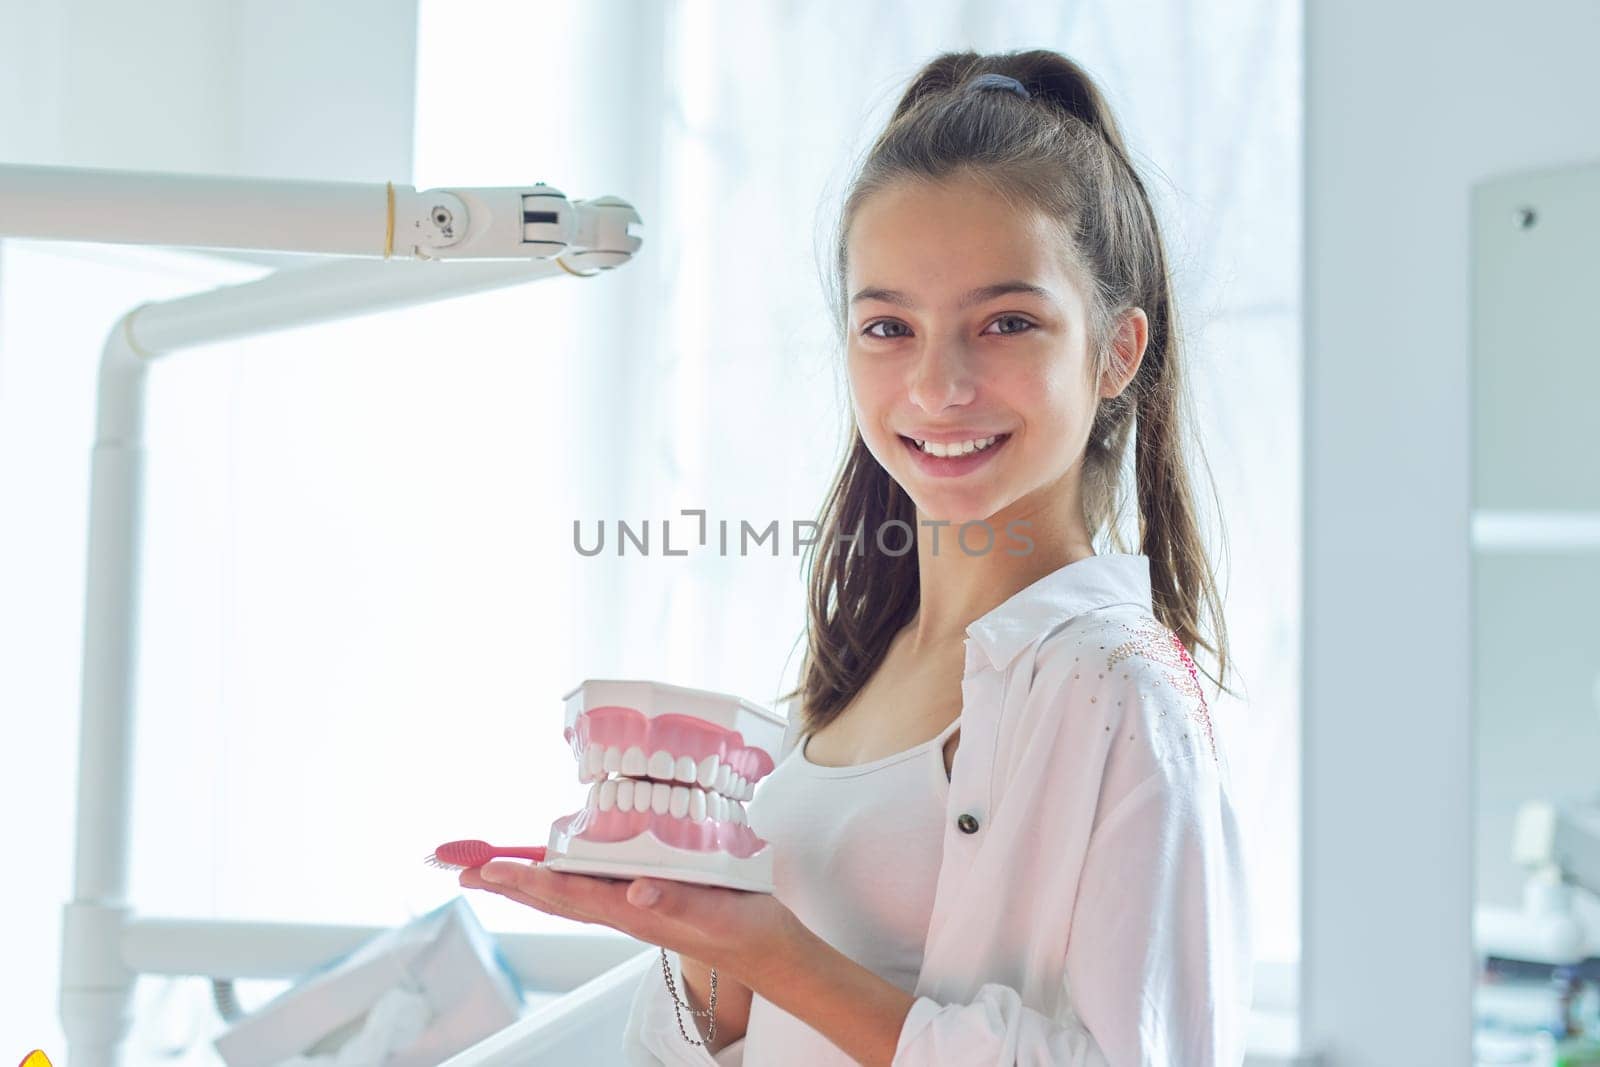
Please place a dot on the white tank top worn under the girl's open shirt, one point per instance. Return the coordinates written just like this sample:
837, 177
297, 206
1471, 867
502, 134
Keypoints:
857, 858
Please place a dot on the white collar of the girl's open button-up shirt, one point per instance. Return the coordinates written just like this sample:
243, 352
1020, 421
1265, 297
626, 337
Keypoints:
1097, 581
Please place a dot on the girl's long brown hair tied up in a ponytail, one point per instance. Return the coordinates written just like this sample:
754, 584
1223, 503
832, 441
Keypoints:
1062, 153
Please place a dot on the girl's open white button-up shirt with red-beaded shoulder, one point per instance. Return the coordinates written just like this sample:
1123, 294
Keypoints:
1092, 903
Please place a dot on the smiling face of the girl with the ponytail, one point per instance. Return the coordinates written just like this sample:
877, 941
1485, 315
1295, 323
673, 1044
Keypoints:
966, 327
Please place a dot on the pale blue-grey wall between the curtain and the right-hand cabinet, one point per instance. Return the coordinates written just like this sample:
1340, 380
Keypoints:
1407, 106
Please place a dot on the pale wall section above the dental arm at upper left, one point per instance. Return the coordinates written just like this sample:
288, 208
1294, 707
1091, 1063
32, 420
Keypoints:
281, 89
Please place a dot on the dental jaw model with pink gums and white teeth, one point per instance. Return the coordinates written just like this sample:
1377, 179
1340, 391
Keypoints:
670, 772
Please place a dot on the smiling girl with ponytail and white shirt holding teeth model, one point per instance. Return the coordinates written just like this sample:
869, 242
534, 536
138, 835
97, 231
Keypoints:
1002, 821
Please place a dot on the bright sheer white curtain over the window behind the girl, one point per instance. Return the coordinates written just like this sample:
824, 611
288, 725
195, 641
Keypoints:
362, 596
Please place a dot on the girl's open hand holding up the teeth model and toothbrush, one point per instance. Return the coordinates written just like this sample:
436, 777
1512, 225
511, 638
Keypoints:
748, 937
